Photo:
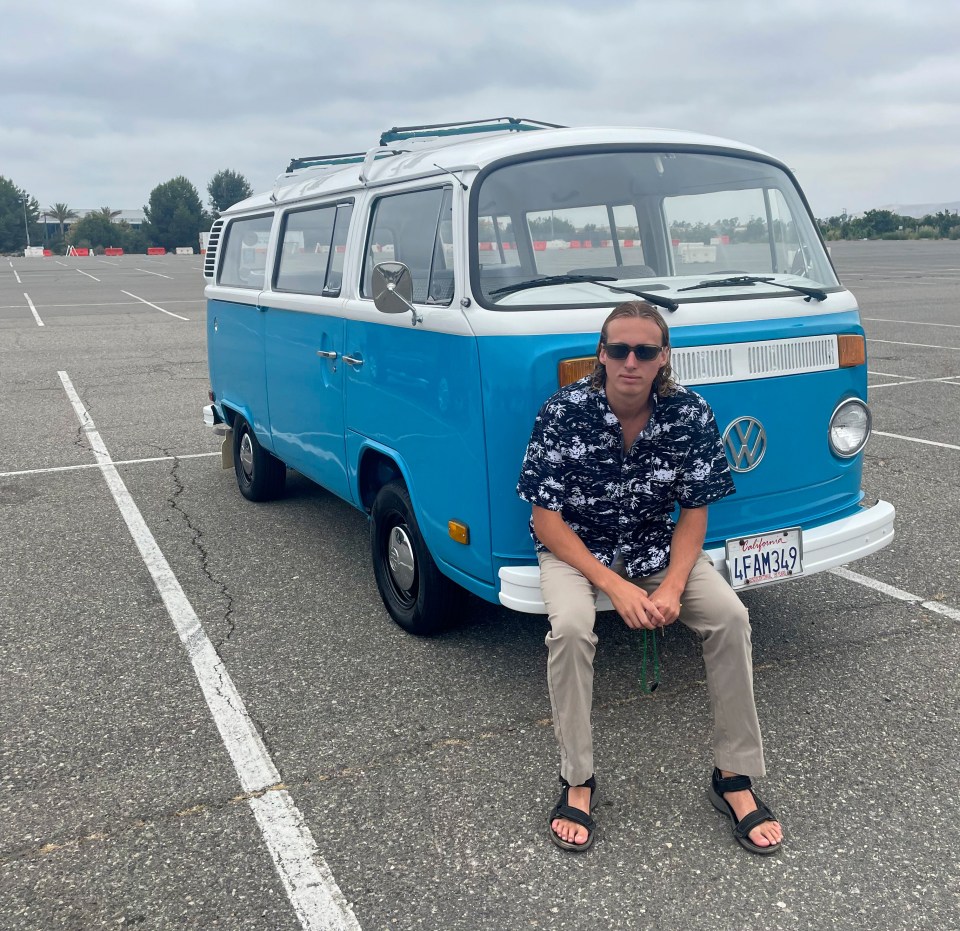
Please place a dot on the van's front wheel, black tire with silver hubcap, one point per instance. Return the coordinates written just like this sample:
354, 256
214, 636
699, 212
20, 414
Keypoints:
417, 595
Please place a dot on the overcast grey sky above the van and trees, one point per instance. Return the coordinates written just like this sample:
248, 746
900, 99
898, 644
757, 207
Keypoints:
100, 102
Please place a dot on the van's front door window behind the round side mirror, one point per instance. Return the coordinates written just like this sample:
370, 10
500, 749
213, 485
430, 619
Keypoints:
415, 228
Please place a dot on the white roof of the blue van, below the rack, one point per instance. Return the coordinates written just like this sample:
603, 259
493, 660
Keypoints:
434, 155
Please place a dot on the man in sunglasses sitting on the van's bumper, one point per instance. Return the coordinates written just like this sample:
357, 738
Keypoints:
609, 458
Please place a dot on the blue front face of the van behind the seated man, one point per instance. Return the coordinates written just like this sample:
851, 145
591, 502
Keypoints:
800, 482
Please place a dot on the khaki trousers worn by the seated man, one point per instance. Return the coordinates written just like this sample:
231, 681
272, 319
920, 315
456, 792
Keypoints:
710, 608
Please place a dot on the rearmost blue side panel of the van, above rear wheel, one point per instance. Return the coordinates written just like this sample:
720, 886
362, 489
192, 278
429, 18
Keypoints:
237, 374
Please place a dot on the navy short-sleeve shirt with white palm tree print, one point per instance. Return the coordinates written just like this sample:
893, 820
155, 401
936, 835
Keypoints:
618, 501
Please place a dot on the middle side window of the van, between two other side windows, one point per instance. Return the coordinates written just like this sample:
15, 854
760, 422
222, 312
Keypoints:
311, 251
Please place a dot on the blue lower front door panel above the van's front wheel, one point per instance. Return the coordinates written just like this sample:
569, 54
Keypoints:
416, 398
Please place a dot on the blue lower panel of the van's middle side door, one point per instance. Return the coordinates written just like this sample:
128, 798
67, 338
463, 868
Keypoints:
306, 395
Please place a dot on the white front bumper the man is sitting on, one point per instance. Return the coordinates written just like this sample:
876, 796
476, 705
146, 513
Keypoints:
824, 547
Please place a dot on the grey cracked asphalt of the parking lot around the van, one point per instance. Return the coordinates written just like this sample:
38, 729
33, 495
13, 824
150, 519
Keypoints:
423, 769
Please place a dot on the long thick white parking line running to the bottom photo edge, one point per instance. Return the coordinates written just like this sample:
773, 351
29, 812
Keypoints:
315, 896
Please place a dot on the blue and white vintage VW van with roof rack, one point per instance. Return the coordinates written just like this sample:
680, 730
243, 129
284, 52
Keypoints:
388, 323
